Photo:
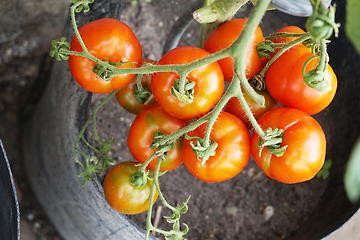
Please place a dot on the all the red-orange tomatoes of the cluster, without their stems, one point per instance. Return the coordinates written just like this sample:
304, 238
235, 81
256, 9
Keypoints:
161, 111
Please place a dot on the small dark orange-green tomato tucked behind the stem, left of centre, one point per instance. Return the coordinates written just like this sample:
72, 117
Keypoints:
126, 97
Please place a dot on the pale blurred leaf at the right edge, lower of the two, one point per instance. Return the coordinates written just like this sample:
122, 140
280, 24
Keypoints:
352, 176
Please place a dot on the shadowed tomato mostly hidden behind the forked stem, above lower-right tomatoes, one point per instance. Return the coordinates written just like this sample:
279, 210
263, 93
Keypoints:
234, 107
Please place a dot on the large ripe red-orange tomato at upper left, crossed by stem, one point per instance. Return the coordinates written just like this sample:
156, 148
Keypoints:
108, 40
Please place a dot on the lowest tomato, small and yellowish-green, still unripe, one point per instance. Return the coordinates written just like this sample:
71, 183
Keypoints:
121, 194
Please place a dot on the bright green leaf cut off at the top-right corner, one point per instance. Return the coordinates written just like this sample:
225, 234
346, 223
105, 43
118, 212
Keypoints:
352, 23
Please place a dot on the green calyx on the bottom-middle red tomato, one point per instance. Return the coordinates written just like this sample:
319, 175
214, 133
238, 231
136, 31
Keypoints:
202, 151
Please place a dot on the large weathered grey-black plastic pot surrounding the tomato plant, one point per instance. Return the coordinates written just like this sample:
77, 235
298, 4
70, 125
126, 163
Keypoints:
51, 128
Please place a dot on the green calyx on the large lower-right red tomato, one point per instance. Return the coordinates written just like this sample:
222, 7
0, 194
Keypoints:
273, 140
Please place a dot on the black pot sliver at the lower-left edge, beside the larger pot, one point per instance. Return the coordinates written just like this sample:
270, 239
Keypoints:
9, 207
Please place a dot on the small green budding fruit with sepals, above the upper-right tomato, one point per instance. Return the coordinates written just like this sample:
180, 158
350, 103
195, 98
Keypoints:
321, 24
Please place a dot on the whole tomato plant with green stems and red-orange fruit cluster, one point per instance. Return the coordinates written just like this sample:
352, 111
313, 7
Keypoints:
188, 84
